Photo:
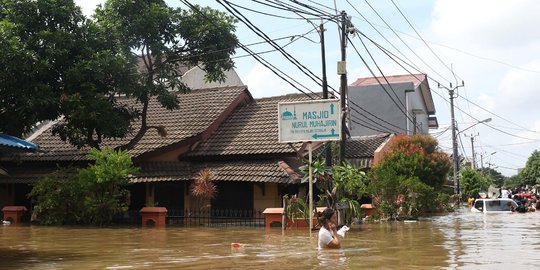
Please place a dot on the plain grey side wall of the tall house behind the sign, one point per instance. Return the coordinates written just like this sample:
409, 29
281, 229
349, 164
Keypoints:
375, 100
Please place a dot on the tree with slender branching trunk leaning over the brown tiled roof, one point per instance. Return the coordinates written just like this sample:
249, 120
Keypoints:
165, 40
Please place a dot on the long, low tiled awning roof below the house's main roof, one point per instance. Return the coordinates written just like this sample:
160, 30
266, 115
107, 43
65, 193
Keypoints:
267, 171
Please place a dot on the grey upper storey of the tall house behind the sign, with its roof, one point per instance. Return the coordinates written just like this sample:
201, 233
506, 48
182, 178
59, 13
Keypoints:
391, 104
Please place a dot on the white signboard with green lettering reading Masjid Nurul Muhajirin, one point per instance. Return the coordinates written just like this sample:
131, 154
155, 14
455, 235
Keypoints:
308, 121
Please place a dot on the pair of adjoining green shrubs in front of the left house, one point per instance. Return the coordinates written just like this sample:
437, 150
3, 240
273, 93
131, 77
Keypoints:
88, 196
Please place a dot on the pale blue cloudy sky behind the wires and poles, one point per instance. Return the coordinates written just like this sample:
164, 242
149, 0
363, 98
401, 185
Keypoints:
492, 46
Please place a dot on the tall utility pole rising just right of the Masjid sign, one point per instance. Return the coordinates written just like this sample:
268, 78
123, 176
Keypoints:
342, 70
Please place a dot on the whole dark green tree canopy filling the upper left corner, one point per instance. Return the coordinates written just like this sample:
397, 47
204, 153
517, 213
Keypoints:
55, 62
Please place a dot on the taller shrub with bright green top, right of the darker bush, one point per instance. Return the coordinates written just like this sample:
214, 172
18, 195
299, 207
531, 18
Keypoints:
104, 184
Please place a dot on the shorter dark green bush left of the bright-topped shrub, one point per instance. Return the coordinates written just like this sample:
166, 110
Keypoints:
57, 198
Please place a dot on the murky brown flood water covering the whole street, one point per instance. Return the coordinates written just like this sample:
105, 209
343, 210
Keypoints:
461, 240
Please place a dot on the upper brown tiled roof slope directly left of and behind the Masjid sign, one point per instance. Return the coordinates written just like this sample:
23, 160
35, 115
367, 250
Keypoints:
251, 130
